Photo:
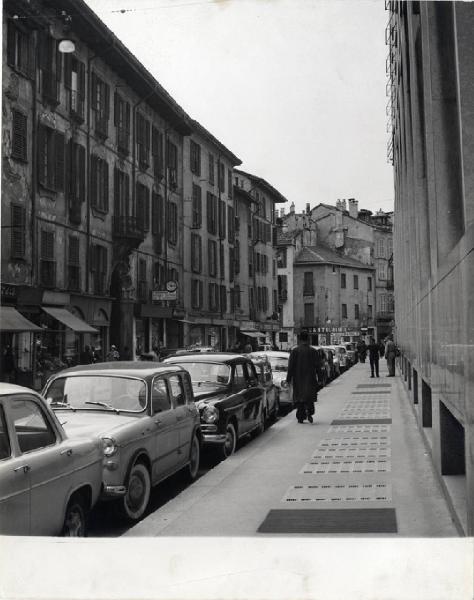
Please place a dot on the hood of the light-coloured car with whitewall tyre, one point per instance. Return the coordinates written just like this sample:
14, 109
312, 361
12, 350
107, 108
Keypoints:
92, 423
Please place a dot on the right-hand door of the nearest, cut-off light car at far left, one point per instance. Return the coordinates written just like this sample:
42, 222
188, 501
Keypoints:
50, 462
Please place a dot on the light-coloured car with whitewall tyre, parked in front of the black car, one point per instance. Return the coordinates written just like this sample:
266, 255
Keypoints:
145, 416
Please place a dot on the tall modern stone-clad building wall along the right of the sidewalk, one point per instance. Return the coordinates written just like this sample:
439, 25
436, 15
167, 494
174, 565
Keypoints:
431, 52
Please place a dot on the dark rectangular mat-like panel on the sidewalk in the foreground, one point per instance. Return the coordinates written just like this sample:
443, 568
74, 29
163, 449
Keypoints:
344, 520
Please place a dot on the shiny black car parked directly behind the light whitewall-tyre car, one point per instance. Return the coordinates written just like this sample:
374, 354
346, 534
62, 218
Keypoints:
228, 395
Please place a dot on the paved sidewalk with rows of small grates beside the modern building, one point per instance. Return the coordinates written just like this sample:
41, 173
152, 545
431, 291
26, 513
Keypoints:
363, 452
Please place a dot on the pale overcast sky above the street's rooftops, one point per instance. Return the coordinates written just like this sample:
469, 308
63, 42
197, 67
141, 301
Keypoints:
294, 88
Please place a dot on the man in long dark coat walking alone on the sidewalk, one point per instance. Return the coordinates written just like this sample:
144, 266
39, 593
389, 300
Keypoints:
303, 368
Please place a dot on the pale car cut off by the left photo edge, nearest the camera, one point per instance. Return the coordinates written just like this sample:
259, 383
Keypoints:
48, 481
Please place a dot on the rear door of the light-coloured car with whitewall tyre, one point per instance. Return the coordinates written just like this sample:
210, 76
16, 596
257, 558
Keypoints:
184, 413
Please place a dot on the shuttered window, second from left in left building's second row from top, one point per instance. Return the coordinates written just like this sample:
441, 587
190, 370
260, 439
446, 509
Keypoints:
50, 158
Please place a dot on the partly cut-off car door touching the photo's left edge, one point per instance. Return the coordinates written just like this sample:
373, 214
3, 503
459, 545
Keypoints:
15, 494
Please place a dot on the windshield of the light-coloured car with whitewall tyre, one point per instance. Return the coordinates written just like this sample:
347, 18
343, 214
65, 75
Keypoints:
97, 392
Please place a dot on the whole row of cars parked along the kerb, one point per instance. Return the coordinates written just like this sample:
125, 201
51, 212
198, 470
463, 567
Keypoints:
112, 431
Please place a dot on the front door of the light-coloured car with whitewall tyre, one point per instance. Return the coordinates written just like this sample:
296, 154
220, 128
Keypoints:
166, 434
